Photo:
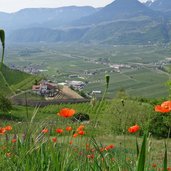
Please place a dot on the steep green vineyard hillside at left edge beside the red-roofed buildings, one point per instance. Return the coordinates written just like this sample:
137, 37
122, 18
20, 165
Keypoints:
13, 80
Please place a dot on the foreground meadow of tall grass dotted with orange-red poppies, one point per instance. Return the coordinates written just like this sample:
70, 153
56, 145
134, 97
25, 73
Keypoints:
68, 145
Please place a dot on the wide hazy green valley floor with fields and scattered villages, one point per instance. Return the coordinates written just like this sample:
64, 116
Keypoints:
91, 63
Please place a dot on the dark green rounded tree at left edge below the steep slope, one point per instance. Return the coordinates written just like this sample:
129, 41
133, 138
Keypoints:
5, 104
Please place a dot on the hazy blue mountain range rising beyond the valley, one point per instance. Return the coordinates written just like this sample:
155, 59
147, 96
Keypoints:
121, 22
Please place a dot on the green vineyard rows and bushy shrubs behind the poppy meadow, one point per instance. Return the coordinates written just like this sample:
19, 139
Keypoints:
110, 109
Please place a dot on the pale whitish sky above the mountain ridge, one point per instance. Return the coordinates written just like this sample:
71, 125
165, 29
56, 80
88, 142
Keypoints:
15, 5
